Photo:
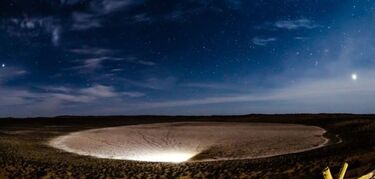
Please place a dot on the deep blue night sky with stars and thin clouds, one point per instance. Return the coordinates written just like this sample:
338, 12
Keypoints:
191, 57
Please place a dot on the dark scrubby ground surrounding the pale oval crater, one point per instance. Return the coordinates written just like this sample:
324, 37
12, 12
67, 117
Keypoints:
24, 153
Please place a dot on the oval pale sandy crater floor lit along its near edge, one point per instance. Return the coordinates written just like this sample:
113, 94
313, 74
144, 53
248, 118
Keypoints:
192, 141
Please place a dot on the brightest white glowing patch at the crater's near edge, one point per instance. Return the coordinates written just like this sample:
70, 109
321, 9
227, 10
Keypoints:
172, 157
